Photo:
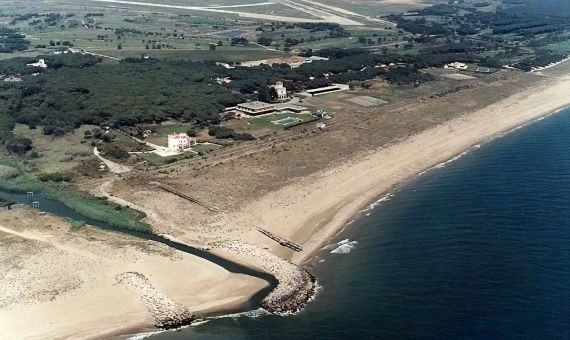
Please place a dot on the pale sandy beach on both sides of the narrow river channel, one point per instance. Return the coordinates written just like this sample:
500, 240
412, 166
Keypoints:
86, 283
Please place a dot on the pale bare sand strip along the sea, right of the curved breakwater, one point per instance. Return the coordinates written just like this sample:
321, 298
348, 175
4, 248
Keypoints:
421, 152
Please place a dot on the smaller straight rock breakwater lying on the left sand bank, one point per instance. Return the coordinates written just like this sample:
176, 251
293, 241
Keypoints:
166, 313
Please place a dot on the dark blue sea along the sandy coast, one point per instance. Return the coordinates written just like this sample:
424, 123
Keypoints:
478, 248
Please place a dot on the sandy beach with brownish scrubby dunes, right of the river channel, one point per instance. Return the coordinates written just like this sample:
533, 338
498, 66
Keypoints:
267, 190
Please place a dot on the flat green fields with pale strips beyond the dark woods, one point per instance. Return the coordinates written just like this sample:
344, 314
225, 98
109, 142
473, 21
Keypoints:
114, 30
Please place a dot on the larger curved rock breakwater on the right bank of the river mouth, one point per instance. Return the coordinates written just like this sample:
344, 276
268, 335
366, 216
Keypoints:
296, 285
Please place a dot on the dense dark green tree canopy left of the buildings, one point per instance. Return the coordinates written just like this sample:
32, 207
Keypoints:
77, 90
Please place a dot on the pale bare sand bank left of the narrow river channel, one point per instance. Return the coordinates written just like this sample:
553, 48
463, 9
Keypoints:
58, 283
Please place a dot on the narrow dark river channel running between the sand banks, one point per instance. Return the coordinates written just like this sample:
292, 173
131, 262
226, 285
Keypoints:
44, 204
